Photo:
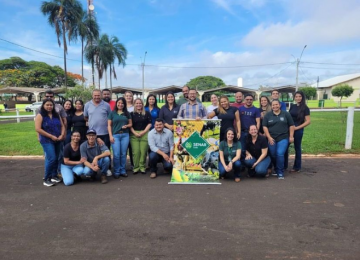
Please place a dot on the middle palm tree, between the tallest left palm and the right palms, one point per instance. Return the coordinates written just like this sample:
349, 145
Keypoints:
88, 30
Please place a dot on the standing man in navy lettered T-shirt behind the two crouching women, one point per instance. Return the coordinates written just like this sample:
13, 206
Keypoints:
249, 115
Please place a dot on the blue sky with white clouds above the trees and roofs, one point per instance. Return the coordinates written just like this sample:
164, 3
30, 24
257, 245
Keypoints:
256, 40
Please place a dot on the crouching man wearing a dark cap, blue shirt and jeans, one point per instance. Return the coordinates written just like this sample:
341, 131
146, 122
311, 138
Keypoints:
96, 157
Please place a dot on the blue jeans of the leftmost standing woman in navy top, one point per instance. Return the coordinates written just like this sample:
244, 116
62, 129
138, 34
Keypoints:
52, 152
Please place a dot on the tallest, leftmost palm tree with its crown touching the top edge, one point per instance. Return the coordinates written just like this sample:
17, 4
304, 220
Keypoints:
63, 15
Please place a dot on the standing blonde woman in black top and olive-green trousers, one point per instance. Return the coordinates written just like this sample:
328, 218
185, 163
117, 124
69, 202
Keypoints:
141, 123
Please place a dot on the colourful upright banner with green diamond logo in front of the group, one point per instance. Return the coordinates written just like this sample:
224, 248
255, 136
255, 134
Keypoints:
196, 152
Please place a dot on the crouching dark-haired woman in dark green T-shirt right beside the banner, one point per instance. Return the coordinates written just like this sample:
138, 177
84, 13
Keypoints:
230, 152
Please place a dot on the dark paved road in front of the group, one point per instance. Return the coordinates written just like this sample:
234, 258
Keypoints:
310, 215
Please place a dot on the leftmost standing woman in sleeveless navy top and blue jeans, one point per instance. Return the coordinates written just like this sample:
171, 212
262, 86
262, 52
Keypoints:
51, 132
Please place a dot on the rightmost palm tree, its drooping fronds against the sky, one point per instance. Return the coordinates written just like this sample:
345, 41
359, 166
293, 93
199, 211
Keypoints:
118, 52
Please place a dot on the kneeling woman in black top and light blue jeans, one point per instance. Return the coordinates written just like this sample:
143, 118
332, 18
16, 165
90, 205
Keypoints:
73, 163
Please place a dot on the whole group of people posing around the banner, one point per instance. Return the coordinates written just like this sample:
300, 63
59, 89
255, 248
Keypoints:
77, 139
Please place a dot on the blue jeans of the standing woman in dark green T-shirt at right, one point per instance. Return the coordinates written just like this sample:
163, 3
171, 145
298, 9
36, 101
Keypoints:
277, 154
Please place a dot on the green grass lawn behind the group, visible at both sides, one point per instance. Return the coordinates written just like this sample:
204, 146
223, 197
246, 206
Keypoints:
325, 135
